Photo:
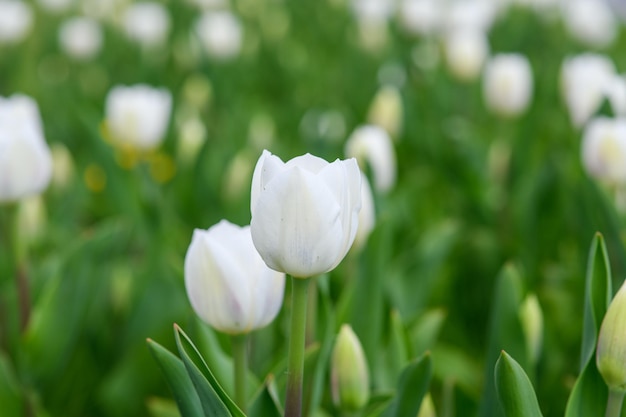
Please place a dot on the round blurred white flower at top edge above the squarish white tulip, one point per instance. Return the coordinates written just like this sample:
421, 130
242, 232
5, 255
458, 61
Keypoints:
147, 23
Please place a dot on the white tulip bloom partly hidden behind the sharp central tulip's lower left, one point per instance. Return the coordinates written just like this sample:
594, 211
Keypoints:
228, 284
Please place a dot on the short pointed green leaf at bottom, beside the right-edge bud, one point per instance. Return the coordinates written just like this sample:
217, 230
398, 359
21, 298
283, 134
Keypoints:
590, 394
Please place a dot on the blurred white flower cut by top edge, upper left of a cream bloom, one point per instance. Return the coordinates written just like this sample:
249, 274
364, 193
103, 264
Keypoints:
421, 17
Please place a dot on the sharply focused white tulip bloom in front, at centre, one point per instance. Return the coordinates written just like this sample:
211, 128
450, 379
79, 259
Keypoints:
304, 212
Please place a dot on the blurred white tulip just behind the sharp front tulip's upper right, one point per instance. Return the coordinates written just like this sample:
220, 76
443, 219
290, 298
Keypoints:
372, 147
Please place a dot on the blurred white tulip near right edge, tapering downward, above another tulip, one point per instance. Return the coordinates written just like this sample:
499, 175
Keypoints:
584, 79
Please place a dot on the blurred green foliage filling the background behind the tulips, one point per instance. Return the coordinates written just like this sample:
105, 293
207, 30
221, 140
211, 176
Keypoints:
106, 266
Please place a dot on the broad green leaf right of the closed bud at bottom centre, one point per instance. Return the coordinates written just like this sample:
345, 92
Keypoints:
412, 387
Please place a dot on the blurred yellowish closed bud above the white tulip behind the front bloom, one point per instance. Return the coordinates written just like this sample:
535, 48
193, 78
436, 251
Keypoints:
386, 110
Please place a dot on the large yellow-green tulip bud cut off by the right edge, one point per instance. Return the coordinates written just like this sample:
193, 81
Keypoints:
611, 349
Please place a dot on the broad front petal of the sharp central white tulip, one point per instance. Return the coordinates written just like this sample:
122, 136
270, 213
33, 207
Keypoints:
296, 224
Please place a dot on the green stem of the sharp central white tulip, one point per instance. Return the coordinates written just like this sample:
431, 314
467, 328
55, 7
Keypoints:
293, 403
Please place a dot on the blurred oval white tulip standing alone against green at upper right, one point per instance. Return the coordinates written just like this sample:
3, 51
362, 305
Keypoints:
508, 84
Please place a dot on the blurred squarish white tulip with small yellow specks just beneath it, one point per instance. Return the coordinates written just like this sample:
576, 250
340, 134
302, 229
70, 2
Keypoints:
138, 116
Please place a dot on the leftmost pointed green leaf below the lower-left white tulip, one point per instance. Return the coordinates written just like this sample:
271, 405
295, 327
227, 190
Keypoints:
178, 380
